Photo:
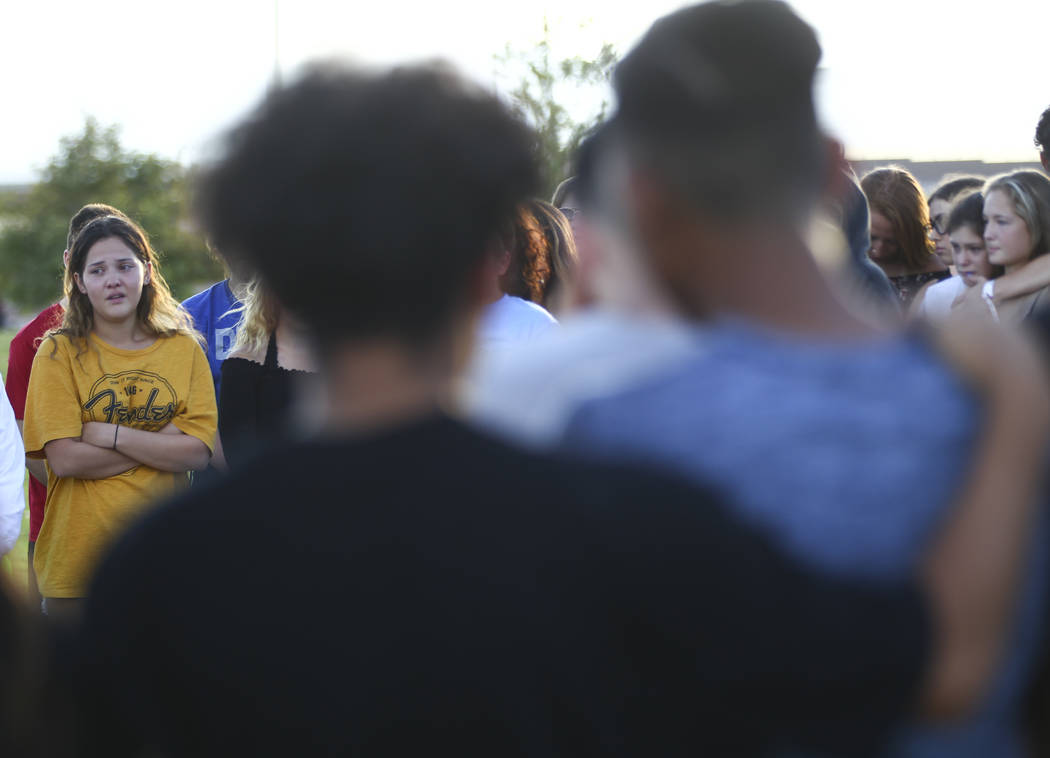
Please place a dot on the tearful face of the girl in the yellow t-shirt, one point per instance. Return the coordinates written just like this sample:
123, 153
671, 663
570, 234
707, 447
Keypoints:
113, 280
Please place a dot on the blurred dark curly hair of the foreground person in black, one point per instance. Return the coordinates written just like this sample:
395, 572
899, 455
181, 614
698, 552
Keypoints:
367, 200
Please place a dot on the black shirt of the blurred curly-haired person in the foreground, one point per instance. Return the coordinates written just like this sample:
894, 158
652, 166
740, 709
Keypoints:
430, 589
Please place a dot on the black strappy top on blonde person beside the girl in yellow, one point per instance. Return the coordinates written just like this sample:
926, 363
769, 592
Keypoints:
255, 404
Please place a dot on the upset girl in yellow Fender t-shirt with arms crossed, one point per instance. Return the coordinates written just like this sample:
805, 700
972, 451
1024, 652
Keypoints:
121, 405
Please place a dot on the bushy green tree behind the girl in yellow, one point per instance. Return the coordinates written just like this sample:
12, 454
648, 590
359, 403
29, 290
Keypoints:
93, 167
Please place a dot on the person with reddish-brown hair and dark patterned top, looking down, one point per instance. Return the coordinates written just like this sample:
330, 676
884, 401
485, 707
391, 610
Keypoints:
900, 223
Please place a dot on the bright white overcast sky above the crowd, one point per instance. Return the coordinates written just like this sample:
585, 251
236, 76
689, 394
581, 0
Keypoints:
919, 79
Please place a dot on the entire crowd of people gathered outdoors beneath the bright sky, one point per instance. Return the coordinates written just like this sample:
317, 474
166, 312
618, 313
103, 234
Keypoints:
722, 452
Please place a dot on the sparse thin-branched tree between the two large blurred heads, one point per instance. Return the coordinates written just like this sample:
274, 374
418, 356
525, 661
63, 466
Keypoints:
562, 100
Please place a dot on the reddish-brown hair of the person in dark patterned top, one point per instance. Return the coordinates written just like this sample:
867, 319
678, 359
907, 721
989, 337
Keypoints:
897, 196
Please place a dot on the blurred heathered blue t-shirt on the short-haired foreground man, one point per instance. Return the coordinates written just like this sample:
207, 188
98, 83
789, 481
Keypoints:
848, 454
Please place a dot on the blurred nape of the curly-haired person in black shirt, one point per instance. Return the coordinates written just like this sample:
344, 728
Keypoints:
374, 385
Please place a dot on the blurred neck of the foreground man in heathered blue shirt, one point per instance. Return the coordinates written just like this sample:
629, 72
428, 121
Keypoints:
769, 276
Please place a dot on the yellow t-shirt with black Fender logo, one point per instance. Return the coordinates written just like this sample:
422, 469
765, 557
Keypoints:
167, 383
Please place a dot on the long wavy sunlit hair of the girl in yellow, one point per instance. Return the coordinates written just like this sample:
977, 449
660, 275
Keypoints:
158, 312
